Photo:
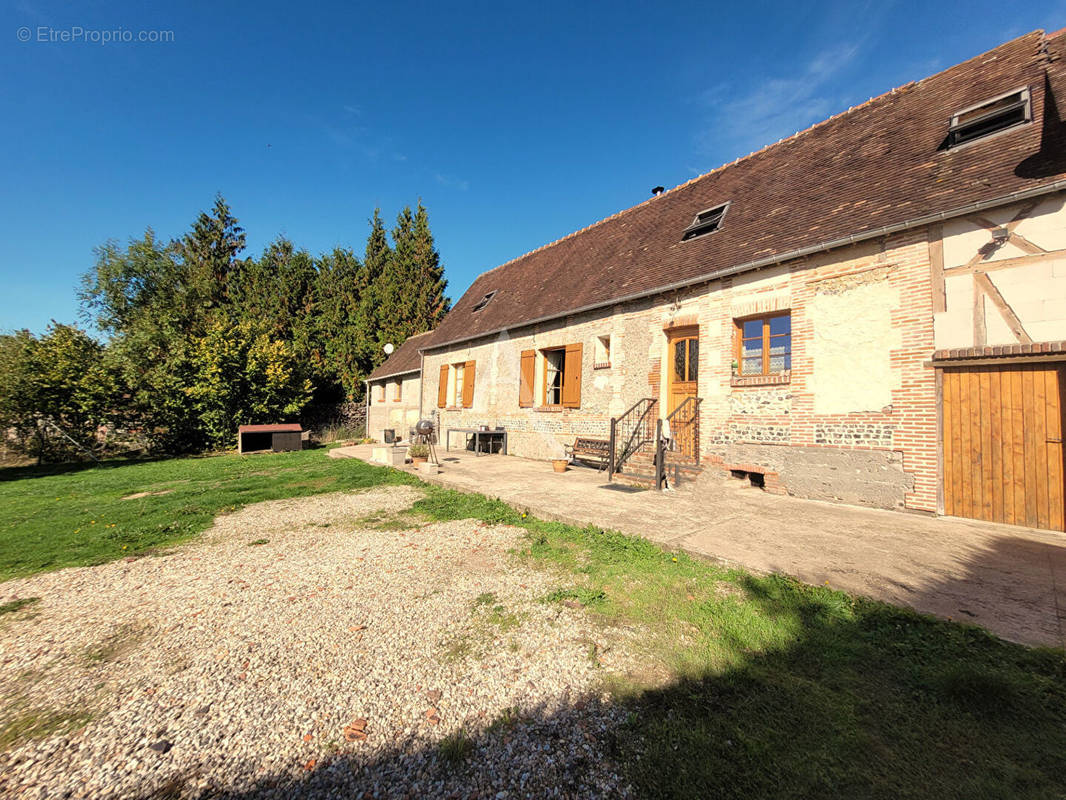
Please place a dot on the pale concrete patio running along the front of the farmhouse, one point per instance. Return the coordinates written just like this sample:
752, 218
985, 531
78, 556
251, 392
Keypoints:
1011, 581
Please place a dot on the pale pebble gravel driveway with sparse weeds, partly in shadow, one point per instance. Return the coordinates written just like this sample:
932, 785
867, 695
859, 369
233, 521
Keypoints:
298, 651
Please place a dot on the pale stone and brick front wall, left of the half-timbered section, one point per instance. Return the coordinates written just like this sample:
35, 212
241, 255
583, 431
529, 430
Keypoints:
854, 420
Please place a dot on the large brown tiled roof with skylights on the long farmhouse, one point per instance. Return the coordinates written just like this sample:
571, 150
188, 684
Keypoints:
878, 166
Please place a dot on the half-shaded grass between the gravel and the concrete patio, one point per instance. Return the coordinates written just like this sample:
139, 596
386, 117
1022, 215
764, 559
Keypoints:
773, 689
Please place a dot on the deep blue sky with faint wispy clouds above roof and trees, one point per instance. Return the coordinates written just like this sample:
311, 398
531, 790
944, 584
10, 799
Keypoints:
516, 123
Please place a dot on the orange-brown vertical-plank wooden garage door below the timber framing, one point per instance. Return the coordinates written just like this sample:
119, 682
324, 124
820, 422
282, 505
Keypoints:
1003, 444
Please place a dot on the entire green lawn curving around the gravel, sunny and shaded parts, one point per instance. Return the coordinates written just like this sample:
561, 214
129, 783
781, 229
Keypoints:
754, 687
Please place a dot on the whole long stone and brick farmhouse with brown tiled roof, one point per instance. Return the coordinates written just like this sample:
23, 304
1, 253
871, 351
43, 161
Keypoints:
873, 311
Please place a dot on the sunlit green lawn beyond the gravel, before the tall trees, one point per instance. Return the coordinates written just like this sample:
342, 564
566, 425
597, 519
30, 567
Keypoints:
74, 516
